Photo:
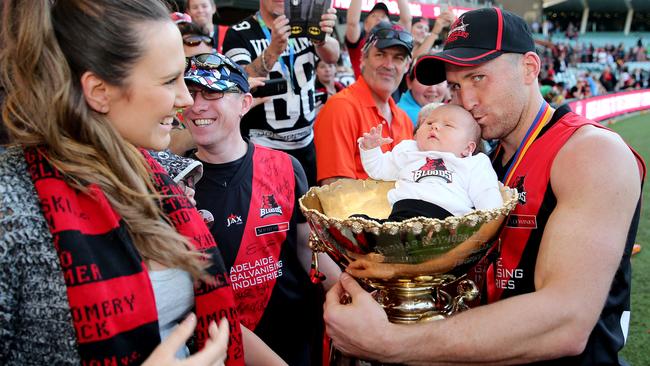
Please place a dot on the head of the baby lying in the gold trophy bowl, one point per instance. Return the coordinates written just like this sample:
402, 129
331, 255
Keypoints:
447, 129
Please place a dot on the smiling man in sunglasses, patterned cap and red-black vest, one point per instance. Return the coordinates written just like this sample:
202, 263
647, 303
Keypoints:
253, 192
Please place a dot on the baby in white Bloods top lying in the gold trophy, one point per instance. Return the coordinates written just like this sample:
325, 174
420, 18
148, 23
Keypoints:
437, 175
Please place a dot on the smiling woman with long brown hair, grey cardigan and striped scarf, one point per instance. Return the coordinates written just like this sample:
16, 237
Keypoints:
101, 254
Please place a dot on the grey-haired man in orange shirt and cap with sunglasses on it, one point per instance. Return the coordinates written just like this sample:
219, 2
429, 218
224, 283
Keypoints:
363, 105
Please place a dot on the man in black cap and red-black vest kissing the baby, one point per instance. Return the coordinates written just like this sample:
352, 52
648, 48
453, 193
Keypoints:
558, 285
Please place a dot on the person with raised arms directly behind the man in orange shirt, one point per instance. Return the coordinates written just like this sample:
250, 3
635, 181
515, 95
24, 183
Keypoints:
355, 35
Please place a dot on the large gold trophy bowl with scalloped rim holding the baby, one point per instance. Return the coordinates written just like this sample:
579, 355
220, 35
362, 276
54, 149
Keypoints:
418, 266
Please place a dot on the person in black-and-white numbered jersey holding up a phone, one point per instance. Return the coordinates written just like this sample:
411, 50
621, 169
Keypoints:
261, 43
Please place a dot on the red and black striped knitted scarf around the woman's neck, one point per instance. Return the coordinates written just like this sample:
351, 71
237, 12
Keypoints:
109, 291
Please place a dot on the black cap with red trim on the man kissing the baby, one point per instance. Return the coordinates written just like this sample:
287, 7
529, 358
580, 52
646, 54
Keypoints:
476, 37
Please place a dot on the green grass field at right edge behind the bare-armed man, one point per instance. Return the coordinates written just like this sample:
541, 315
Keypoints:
636, 132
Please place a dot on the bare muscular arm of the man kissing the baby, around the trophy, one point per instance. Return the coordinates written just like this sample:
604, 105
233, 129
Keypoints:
580, 251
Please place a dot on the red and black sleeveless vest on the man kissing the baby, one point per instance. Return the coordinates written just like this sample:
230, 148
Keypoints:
512, 270
